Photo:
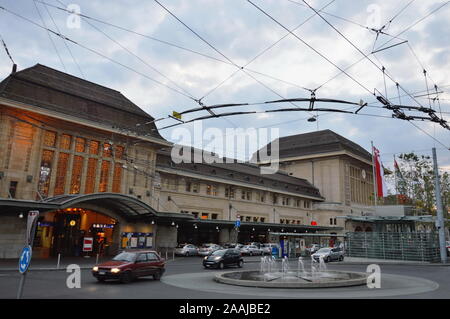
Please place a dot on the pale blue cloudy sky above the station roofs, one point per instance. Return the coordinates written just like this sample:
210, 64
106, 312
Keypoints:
142, 65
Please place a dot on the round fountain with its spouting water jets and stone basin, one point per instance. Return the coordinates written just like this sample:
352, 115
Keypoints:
272, 275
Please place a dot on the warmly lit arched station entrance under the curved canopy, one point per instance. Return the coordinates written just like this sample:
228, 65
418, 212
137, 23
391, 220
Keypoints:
64, 232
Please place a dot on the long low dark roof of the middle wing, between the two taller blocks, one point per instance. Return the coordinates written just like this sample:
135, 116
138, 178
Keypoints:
235, 171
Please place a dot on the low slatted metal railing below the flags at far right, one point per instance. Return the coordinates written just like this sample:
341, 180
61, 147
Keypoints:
416, 246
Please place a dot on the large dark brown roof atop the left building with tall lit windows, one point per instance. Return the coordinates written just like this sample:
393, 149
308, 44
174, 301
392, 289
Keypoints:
66, 94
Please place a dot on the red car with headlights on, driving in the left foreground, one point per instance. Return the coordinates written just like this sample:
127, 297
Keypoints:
129, 265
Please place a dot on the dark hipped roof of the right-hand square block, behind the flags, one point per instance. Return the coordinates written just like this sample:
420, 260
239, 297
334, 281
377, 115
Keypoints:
318, 142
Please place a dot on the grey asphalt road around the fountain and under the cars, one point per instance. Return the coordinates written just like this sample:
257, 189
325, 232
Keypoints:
52, 284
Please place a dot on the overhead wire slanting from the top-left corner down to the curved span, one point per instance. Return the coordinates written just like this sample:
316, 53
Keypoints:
95, 52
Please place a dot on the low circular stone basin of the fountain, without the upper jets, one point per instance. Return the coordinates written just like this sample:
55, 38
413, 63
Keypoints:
328, 279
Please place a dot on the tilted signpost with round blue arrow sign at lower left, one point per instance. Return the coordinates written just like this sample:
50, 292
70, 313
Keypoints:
25, 256
